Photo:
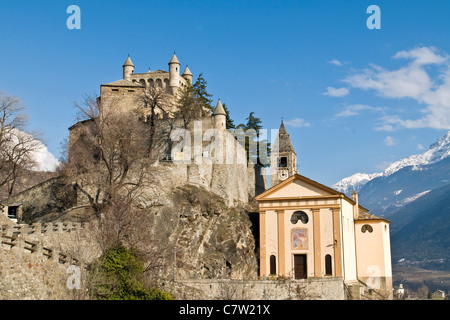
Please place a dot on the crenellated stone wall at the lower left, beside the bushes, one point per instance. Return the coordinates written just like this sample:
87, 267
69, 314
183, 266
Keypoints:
38, 261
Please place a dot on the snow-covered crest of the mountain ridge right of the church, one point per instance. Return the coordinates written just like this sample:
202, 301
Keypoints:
435, 153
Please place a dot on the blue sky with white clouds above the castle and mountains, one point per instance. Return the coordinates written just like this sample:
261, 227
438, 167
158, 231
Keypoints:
353, 99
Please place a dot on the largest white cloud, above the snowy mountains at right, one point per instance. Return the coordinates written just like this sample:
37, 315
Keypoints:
413, 81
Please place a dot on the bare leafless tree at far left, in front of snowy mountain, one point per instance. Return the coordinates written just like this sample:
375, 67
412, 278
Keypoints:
16, 145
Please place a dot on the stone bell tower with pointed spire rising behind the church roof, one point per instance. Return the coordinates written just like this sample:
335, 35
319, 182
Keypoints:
284, 162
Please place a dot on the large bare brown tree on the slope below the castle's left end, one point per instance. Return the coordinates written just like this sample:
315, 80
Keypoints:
110, 157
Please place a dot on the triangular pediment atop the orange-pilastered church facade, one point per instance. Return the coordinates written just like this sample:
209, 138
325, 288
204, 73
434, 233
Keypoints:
297, 186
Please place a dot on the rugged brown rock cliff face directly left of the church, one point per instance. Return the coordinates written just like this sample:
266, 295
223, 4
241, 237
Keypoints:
204, 237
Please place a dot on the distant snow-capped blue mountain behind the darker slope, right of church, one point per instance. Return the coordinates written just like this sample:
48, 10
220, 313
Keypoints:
403, 181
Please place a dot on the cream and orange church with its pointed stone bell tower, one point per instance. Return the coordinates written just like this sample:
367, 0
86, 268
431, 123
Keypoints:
309, 230
